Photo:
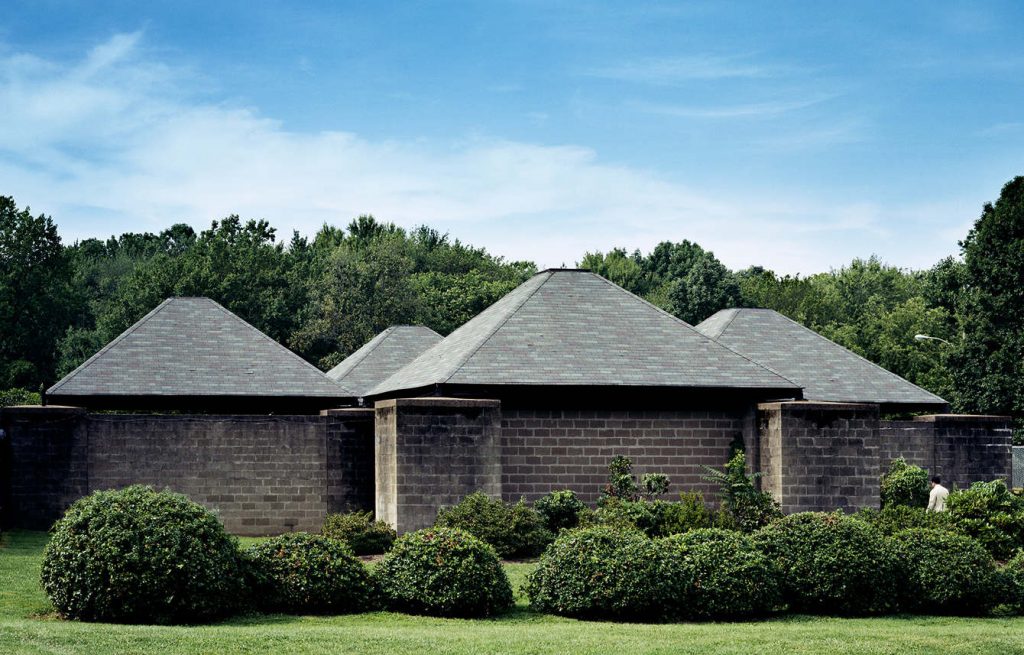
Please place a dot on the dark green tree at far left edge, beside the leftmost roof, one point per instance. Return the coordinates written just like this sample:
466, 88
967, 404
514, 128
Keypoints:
37, 300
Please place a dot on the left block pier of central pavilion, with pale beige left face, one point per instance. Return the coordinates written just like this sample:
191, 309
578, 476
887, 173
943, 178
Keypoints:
432, 453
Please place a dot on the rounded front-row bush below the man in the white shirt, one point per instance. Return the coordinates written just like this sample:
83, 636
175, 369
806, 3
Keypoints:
947, 574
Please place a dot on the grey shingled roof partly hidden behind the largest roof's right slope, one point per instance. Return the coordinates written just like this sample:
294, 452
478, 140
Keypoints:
826, 370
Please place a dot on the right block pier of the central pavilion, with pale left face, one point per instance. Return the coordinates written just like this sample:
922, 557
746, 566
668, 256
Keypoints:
820, 456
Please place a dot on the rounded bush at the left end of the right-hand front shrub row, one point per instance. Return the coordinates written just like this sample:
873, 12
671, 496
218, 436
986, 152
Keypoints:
601, 573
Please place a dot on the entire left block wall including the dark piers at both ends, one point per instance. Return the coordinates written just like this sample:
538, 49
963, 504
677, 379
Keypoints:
264, 475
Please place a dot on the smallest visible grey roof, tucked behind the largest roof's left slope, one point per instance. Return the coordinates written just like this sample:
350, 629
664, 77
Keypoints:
382, 356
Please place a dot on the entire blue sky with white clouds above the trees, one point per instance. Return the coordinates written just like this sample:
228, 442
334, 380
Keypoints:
793, 136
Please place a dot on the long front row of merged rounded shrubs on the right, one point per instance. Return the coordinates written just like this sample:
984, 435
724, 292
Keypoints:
813, 563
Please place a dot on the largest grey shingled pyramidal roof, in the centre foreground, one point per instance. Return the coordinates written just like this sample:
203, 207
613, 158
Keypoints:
573, 328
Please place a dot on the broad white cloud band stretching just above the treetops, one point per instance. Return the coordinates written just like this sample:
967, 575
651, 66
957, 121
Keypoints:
117, 144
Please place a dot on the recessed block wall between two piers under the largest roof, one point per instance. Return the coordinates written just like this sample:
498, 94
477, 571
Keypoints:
547, 450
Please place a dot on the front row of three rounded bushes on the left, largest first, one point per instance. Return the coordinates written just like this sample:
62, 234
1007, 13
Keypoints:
141, 556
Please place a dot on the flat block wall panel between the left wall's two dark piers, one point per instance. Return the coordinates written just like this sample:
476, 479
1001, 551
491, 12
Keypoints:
263, 475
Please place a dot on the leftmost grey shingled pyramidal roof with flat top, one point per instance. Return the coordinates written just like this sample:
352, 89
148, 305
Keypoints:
195, 347
